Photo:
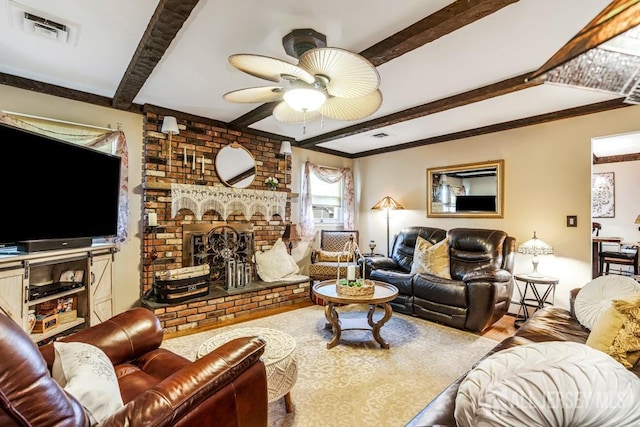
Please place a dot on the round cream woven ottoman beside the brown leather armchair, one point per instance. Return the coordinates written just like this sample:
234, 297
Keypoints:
279, 358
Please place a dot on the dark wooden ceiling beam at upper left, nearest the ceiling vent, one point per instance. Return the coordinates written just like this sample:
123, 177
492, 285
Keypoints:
163, 27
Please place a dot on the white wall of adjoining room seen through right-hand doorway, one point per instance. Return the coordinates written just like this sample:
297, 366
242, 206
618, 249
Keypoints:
626, 177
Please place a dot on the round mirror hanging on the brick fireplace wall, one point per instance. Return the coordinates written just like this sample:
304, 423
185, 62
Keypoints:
236, 166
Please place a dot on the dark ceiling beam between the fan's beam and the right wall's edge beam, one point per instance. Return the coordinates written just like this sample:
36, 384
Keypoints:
504, 87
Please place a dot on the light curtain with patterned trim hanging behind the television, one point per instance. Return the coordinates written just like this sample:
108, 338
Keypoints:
87, 136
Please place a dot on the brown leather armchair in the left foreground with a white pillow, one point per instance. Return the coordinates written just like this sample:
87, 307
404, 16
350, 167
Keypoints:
227, 387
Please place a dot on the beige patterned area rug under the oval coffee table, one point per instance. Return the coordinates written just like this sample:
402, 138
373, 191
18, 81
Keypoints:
357, 383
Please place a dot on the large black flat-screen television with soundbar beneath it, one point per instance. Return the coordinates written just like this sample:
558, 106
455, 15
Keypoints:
55, 194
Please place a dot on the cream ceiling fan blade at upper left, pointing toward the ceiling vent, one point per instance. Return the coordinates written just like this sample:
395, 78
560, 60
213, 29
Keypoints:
268, 68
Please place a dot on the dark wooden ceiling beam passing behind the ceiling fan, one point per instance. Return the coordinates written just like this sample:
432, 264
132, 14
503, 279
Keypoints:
438, 24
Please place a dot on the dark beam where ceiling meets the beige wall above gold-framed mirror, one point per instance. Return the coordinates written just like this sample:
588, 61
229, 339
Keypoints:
499, 127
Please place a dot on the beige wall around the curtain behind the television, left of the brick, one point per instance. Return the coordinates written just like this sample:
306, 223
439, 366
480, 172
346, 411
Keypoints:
128, 262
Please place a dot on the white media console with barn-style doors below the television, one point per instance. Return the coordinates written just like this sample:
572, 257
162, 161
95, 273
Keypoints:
36, 280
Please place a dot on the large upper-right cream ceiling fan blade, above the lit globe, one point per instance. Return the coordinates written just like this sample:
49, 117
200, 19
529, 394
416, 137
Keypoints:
350, 75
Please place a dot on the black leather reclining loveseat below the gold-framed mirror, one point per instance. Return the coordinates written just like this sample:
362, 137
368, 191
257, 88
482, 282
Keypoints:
480, 288
